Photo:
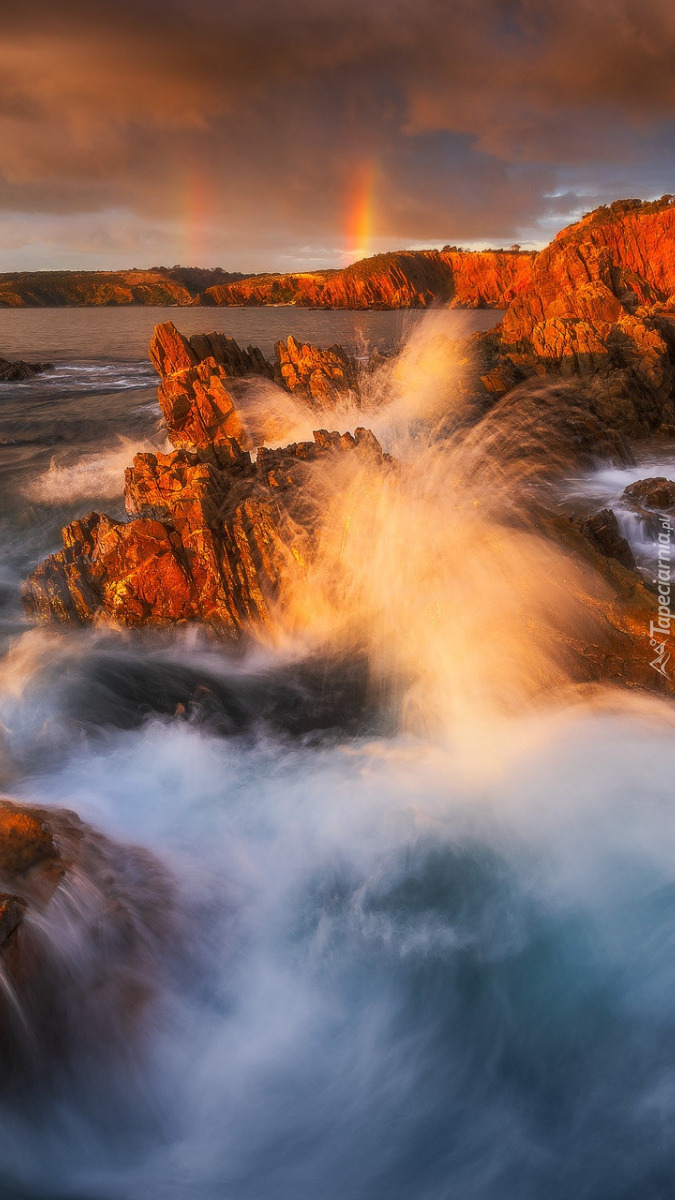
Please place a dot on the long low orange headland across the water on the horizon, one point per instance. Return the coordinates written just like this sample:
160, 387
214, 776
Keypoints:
402, 280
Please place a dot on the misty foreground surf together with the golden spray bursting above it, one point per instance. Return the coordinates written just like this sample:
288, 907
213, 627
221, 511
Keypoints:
433, 961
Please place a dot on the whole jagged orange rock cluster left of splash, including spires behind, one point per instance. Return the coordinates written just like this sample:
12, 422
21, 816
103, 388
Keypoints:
214, 537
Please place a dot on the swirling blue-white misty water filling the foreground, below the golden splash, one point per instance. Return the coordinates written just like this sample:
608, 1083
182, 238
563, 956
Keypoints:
402, 982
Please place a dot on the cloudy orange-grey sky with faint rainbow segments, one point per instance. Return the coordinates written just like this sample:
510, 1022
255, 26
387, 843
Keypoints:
290, 135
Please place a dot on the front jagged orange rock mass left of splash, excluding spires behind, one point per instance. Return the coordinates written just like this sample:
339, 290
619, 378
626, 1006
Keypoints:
210, 542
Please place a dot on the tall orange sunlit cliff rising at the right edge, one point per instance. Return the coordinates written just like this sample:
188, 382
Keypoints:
600, 310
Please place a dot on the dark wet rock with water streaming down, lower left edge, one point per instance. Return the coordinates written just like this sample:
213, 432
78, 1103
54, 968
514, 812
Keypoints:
85, 925
